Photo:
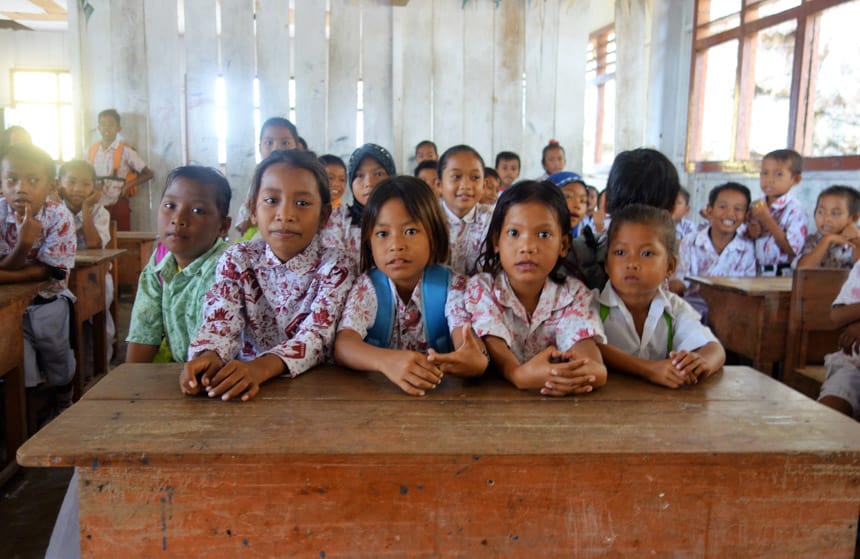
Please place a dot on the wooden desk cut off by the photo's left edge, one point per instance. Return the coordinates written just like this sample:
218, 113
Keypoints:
14, 298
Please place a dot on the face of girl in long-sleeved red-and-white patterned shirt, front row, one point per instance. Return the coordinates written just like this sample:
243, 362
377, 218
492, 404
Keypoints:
289, 209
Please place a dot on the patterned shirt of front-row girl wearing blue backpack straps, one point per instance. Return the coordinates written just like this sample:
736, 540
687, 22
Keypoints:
407, 331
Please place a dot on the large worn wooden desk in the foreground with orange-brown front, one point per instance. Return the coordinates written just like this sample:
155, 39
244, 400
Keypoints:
342, 464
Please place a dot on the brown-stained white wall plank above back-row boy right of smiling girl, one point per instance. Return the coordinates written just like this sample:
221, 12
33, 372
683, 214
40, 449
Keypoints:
509, 33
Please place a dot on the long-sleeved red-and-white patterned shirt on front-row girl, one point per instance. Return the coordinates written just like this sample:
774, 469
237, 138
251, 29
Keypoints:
261, 305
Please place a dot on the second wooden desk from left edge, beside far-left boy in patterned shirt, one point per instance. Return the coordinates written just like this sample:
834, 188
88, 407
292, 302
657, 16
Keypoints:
87, 282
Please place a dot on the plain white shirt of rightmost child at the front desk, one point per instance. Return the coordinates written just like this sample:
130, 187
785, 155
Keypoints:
688, 333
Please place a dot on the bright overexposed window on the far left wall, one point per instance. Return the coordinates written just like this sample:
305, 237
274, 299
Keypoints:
42, 103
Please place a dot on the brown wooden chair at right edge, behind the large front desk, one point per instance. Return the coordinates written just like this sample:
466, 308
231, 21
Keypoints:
811, 335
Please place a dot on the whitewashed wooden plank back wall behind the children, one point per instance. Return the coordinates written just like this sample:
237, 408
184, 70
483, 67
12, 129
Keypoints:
495, 75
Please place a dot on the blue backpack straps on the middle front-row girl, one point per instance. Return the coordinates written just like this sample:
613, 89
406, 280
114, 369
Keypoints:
434, 294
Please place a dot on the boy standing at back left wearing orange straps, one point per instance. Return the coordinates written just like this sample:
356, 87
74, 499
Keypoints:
119, 168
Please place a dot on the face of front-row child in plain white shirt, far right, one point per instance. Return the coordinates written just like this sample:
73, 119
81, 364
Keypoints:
638, 261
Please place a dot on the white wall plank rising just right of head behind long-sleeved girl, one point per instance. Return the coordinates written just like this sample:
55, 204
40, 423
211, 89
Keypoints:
311, 72
